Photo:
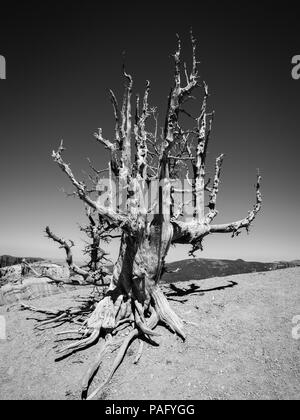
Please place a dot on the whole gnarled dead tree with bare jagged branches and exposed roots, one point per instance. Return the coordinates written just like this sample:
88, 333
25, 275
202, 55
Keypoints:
139, 156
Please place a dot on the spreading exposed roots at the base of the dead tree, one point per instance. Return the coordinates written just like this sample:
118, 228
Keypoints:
106, 322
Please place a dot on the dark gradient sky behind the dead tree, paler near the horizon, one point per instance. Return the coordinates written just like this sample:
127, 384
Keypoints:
60, 64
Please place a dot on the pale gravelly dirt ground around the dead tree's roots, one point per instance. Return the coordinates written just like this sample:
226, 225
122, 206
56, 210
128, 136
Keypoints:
241, 348
